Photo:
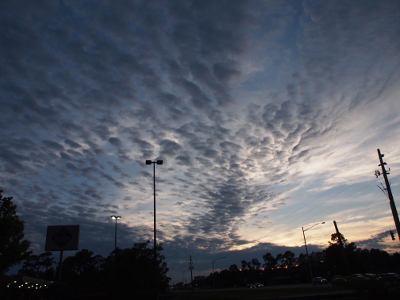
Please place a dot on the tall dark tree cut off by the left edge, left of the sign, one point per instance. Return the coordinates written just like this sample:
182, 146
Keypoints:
13, 248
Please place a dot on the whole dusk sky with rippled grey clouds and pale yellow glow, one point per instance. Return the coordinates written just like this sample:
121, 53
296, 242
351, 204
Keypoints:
267, 115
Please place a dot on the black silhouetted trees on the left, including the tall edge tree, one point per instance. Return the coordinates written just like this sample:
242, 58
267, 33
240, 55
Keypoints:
138, 271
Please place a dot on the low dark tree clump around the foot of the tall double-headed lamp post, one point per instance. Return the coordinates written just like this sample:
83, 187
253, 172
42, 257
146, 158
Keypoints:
123, 272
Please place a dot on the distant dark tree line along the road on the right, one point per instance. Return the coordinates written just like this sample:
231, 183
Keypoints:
289, 268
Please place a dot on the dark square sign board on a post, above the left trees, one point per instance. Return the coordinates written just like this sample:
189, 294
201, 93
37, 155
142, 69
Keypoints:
62, 237
